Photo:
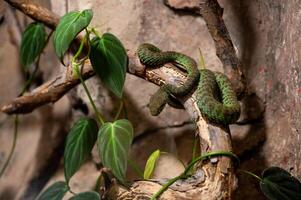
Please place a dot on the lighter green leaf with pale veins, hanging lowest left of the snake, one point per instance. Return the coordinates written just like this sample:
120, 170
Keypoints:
114, 141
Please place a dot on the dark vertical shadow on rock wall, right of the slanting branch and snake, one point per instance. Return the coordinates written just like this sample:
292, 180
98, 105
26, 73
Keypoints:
251, 158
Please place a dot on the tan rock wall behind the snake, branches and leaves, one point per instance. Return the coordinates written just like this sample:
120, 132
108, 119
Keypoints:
266, 37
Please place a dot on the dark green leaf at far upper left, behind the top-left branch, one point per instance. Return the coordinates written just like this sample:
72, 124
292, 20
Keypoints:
32, 44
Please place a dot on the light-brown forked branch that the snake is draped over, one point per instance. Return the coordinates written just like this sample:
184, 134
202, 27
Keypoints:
213, 180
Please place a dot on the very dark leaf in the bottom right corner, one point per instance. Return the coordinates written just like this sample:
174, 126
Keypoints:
278, 184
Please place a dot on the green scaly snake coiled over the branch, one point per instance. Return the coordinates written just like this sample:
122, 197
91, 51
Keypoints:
215, 97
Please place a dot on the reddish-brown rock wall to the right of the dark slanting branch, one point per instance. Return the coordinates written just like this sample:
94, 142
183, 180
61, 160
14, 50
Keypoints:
266, 35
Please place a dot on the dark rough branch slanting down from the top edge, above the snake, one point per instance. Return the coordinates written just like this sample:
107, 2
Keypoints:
212, 14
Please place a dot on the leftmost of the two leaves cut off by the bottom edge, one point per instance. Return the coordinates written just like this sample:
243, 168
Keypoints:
55, 192
